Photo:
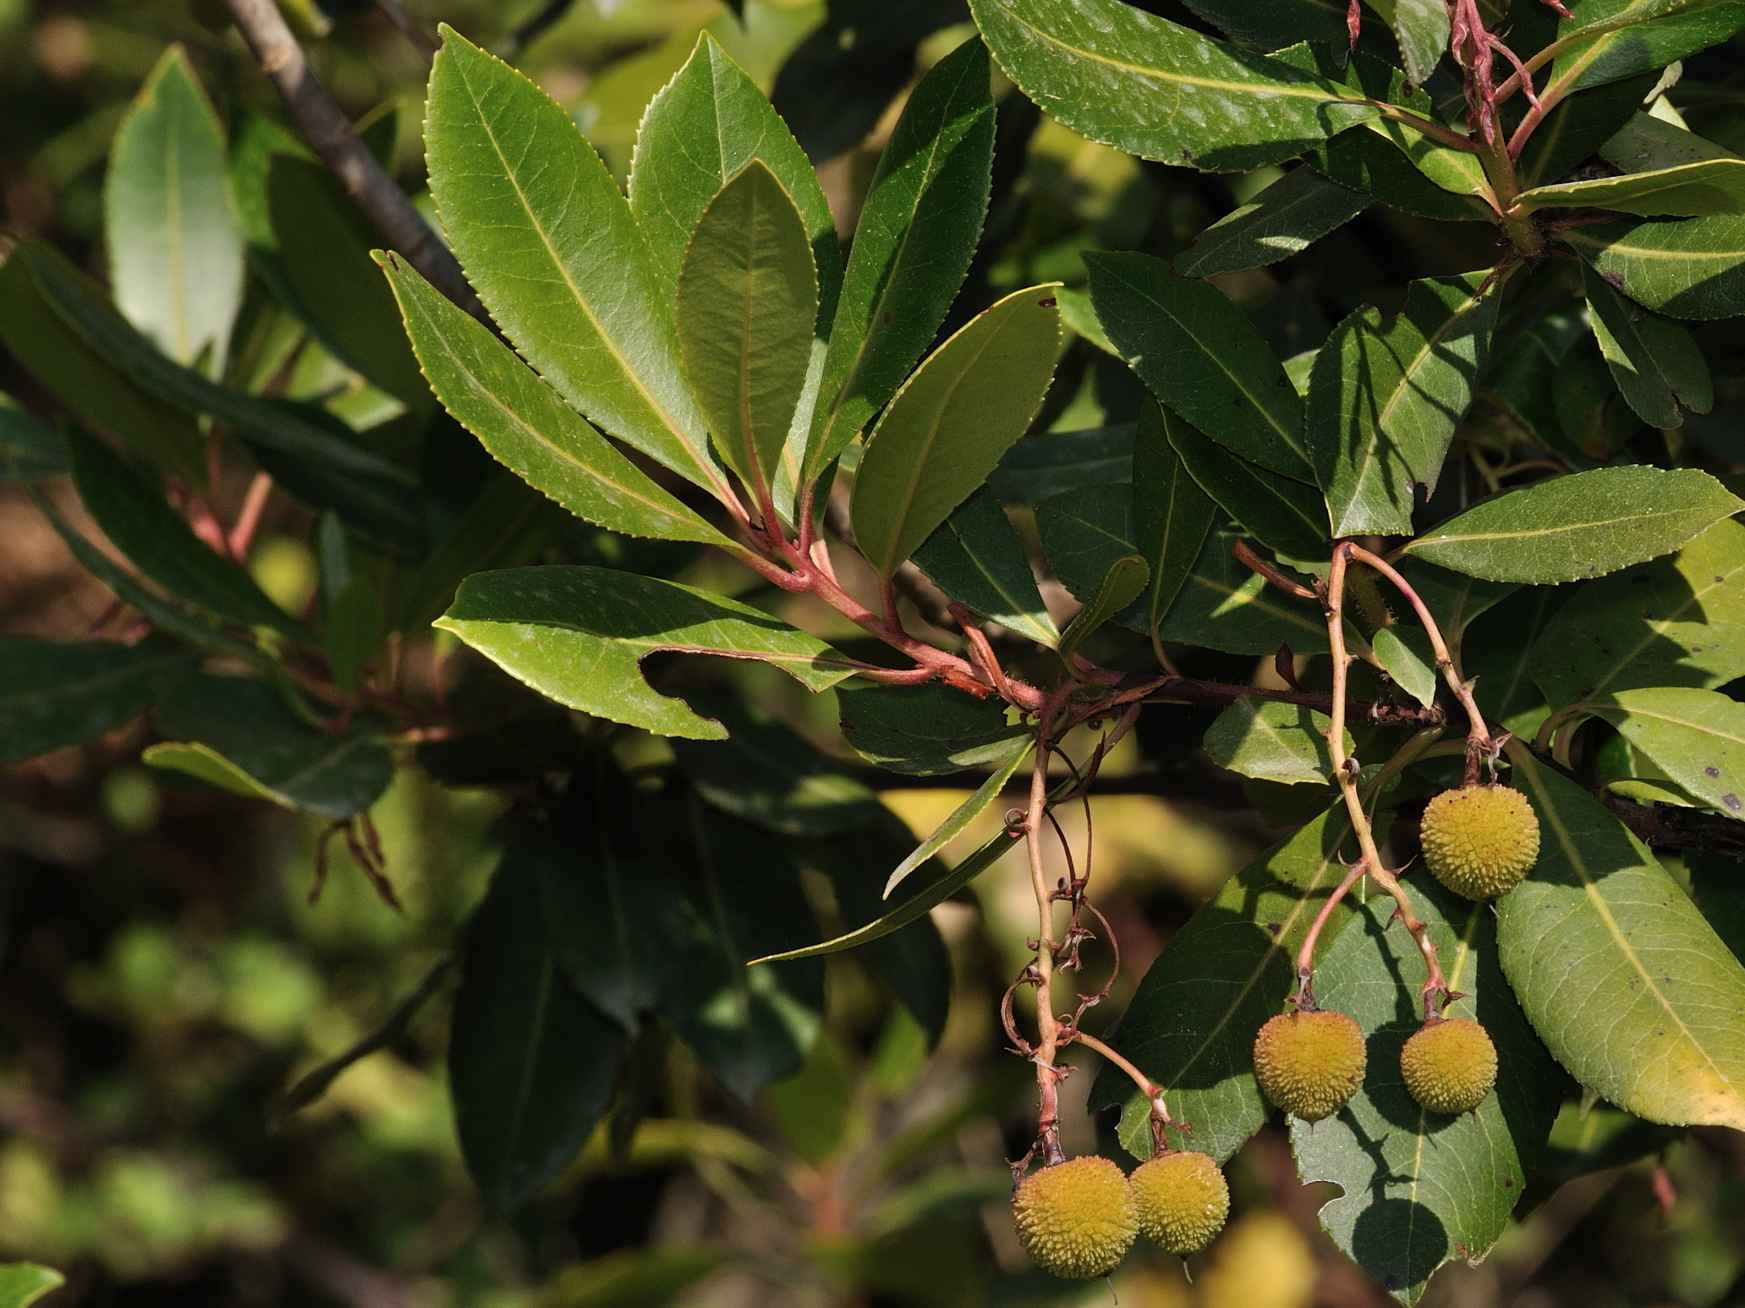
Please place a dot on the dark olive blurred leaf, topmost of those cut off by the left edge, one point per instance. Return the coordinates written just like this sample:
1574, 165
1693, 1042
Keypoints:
88, 381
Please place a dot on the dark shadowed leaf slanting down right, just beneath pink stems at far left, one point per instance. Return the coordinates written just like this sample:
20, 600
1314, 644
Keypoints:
135, 517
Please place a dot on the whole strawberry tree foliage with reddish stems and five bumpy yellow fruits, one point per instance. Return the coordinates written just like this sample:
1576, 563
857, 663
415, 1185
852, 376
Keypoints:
1446, 585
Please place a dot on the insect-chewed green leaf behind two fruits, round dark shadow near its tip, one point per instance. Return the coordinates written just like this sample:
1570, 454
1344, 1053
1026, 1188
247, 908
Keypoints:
1421, 1190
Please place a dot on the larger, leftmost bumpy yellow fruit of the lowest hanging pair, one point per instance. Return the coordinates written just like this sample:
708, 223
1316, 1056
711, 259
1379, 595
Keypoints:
1078, 1218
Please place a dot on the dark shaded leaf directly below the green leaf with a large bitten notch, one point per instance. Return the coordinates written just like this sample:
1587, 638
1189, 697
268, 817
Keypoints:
769, 775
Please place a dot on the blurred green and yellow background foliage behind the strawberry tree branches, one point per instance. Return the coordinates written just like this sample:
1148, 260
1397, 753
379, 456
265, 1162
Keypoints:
165, 979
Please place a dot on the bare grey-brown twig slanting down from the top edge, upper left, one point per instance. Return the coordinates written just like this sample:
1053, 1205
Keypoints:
331, 133
